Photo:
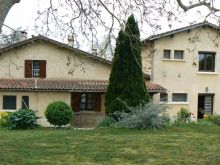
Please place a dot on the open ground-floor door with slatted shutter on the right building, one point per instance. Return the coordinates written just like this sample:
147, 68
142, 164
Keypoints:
205, 105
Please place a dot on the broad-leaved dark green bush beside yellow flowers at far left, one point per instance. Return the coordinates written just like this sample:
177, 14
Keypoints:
22, 119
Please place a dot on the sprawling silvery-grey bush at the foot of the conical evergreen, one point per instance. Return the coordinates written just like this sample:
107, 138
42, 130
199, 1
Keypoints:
145, 116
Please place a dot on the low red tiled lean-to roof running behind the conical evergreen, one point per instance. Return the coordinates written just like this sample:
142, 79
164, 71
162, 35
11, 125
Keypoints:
64, 85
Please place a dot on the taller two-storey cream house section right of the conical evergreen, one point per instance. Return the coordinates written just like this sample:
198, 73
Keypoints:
186, 62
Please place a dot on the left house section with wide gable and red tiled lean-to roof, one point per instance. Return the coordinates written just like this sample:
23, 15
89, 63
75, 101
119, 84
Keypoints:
38, 71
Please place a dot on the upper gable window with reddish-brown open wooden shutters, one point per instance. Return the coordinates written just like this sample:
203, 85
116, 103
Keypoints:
35, 68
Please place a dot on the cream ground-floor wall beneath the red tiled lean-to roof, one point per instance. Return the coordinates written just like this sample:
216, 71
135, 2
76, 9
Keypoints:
38, 101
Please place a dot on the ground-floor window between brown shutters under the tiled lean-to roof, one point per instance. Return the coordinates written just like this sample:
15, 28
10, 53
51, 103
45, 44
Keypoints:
88, 97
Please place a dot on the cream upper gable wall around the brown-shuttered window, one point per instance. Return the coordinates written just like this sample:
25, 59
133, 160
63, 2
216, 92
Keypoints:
61, 63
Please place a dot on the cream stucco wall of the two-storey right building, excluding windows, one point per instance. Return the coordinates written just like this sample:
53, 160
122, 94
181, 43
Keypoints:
181, 76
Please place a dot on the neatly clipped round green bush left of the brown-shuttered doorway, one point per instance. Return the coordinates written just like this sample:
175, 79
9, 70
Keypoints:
59, 113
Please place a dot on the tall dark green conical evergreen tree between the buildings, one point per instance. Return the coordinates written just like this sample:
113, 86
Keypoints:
126, 84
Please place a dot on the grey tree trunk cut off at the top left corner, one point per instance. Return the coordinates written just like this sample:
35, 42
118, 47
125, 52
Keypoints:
5, 6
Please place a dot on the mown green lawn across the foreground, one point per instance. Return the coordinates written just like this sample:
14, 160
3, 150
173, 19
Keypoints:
186, 145
